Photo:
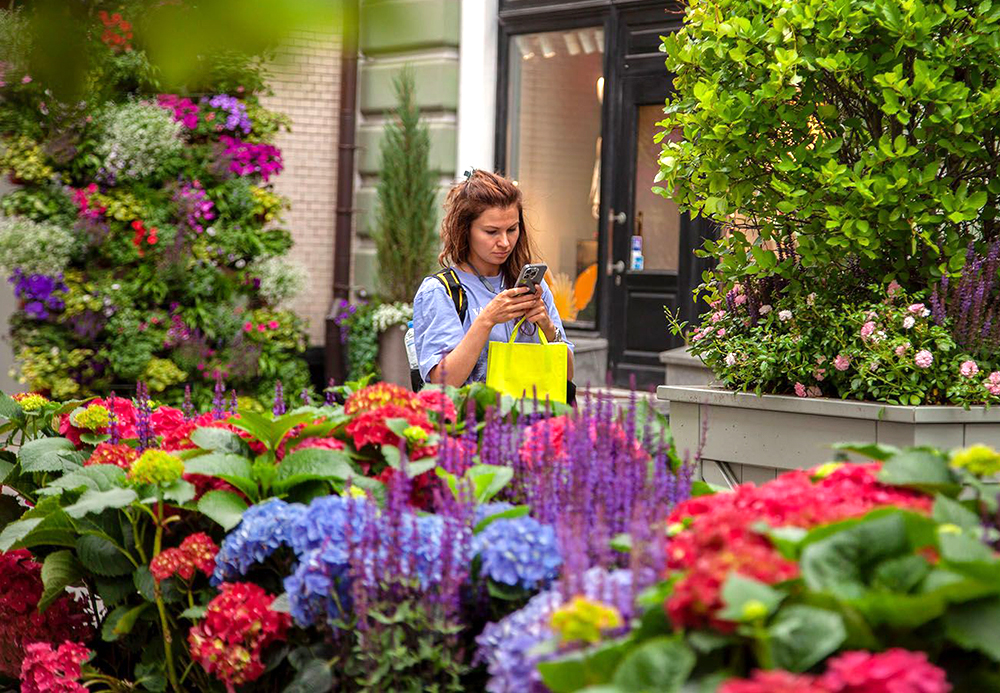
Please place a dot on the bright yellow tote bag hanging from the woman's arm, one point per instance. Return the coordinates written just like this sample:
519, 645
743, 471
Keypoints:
521, 369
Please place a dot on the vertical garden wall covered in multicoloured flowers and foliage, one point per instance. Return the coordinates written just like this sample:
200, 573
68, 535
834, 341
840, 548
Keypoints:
142, 236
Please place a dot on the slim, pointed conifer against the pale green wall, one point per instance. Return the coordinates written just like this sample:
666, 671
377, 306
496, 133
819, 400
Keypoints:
405, 234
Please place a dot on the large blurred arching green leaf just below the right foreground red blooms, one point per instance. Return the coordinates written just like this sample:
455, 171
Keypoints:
838, 563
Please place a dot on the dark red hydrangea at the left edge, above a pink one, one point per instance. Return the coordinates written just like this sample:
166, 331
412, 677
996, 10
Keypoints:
20, 622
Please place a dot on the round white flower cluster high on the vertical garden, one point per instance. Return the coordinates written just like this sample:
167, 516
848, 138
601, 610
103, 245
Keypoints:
137, 139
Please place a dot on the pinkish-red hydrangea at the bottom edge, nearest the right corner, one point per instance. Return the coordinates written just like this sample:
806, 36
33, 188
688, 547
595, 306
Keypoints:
893, 671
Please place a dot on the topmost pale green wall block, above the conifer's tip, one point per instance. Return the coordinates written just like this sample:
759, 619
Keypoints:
399, 25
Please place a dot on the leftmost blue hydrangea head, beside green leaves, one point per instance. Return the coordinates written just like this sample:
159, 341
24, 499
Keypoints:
262, 531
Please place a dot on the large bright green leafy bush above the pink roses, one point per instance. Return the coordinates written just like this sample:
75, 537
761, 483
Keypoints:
859, 136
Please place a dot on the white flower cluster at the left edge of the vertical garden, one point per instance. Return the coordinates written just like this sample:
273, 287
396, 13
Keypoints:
34, 248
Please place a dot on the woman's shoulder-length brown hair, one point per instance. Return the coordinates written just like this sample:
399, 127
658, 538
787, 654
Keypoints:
468, 199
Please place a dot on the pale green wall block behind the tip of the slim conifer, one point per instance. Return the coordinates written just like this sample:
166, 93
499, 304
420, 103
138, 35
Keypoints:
436, 83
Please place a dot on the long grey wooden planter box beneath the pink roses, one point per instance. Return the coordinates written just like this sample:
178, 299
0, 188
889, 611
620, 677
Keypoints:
752, 438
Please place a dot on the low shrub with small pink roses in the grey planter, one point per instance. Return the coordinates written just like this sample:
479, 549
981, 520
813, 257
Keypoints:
890, 350
